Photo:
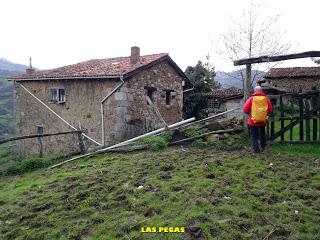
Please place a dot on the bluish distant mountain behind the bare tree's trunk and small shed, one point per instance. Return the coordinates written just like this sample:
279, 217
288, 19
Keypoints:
234, 79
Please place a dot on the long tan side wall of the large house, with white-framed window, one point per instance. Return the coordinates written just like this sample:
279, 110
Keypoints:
82, 107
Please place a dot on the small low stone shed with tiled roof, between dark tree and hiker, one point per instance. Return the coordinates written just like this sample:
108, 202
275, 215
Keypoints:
221, 100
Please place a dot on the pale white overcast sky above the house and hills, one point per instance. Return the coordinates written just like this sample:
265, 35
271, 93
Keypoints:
60, 32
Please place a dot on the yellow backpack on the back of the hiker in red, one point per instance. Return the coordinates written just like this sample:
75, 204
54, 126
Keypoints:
259, 109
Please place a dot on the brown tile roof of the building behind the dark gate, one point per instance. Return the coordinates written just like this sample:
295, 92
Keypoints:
293, 72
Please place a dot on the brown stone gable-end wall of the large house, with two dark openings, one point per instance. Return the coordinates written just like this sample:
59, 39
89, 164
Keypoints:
133, 116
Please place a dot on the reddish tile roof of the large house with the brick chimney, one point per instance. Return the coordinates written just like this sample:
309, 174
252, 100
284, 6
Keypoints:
110, 67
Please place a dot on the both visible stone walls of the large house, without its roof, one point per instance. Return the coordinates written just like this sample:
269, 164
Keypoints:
126, 113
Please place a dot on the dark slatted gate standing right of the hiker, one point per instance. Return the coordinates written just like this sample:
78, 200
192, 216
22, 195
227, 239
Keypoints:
296, 118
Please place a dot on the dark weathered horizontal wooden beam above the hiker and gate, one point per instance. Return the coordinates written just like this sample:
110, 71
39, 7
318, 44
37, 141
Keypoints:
262, 59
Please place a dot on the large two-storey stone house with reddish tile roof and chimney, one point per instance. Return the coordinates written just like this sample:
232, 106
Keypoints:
106, 97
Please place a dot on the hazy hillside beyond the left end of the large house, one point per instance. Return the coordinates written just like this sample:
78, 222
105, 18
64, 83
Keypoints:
7, 120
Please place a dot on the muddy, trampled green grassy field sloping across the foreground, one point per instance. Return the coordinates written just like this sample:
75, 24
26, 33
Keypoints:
213, 194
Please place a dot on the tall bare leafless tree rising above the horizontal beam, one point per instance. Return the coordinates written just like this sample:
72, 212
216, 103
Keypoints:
255, 32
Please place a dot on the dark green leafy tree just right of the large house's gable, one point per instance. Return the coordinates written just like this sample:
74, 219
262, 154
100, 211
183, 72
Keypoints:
202, 77
